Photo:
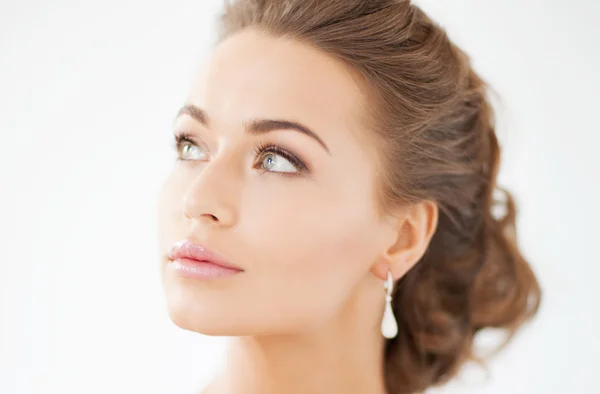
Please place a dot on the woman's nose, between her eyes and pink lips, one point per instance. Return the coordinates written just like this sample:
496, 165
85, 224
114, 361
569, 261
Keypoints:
211, 195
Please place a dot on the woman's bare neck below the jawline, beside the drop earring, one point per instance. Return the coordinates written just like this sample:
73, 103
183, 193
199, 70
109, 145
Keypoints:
345, 356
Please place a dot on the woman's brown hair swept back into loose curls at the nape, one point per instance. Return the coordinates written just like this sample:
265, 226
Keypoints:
436, 139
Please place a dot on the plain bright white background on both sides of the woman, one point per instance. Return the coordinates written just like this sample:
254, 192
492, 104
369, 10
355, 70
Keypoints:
88, 92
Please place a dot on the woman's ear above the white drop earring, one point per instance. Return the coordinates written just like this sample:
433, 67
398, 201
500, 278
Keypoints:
410, 234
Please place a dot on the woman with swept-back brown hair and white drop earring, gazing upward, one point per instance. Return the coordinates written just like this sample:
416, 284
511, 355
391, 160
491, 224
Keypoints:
331, 207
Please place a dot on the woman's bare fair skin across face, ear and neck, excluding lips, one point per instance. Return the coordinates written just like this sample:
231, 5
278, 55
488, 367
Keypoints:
305, 314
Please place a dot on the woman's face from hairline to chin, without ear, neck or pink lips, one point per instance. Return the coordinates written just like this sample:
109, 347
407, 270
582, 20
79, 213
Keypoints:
296, 212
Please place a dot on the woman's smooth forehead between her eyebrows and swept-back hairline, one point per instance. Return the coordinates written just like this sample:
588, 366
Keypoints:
254, 75
